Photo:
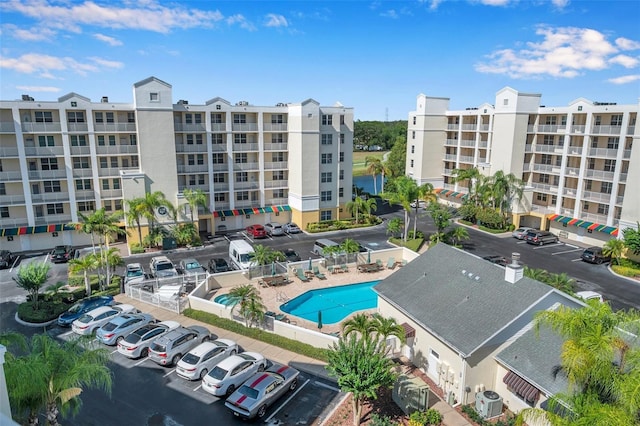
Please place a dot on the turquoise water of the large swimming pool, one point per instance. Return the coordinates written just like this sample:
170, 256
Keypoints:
336, 303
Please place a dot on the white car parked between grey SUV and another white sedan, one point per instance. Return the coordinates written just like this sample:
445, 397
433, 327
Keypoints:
199, 360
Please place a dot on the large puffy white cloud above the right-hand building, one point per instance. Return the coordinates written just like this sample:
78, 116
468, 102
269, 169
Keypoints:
563, 52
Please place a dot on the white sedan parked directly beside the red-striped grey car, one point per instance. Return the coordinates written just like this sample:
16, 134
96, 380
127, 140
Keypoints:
230, 373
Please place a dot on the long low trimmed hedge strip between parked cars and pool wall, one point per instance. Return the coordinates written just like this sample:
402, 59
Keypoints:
261, 335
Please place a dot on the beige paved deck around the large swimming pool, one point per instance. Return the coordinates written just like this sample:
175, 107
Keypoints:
273, 297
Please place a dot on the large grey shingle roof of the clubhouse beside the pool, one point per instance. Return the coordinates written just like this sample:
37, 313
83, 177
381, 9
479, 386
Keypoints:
458, 308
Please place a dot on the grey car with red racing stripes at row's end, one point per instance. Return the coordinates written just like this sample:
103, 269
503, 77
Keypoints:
262, 390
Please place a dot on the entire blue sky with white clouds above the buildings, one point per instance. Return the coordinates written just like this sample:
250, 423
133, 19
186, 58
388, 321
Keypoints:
374, 56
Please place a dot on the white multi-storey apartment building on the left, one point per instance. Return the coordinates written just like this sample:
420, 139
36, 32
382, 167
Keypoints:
256, 164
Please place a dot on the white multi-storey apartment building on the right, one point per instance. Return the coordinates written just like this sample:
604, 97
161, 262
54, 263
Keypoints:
578, 162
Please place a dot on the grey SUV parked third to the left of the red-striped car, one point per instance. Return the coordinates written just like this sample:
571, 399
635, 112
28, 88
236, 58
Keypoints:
168, 349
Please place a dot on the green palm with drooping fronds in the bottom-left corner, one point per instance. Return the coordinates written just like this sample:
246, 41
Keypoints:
50, 375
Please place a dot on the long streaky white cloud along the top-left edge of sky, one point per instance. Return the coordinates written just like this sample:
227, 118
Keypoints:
148, 15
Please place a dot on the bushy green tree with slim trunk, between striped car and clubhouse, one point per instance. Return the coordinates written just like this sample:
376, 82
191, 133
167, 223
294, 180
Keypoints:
361, 369
